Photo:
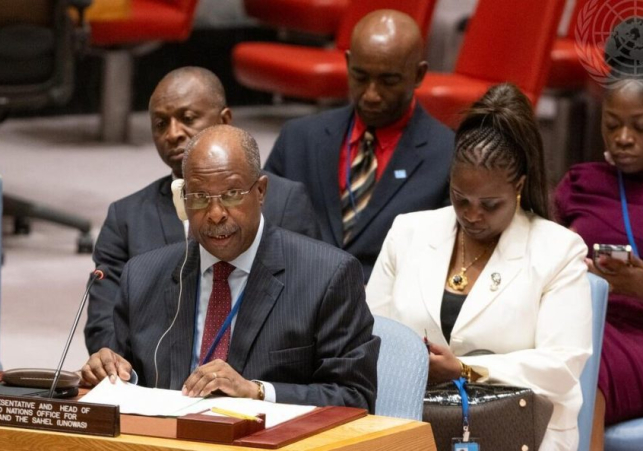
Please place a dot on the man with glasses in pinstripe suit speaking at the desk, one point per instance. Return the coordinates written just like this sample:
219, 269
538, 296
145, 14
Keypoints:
303, 332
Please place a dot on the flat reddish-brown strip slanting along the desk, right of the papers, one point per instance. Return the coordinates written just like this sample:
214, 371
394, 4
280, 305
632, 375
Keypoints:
319, 420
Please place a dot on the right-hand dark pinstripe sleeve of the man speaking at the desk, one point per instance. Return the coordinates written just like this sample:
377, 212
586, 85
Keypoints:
346, 351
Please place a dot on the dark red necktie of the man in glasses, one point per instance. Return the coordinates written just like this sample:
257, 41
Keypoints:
218, 310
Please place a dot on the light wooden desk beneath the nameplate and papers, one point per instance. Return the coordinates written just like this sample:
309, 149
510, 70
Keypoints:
371, 433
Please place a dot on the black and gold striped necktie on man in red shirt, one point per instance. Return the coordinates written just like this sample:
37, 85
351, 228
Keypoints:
362, 182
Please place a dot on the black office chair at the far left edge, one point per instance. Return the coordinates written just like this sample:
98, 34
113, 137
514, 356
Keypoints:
38, 44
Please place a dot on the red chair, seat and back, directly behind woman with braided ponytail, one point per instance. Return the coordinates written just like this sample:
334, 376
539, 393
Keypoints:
505, 40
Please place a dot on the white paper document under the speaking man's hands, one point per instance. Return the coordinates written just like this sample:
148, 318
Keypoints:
137, 400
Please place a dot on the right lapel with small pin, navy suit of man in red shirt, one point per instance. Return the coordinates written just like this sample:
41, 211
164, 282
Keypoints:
407, 158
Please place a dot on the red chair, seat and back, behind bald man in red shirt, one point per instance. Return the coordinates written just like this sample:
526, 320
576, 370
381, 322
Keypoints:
310, 72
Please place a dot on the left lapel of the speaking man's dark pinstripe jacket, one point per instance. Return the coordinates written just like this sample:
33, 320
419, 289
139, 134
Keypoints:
183, 330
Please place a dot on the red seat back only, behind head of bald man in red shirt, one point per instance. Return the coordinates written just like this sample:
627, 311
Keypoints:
420, 10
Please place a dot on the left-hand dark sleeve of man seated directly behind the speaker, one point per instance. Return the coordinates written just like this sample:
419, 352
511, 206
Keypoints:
110, 252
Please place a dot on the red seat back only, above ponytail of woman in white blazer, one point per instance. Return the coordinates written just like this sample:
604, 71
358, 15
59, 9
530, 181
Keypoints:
511, 40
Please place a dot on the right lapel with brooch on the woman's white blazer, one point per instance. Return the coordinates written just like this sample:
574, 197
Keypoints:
506, 261
